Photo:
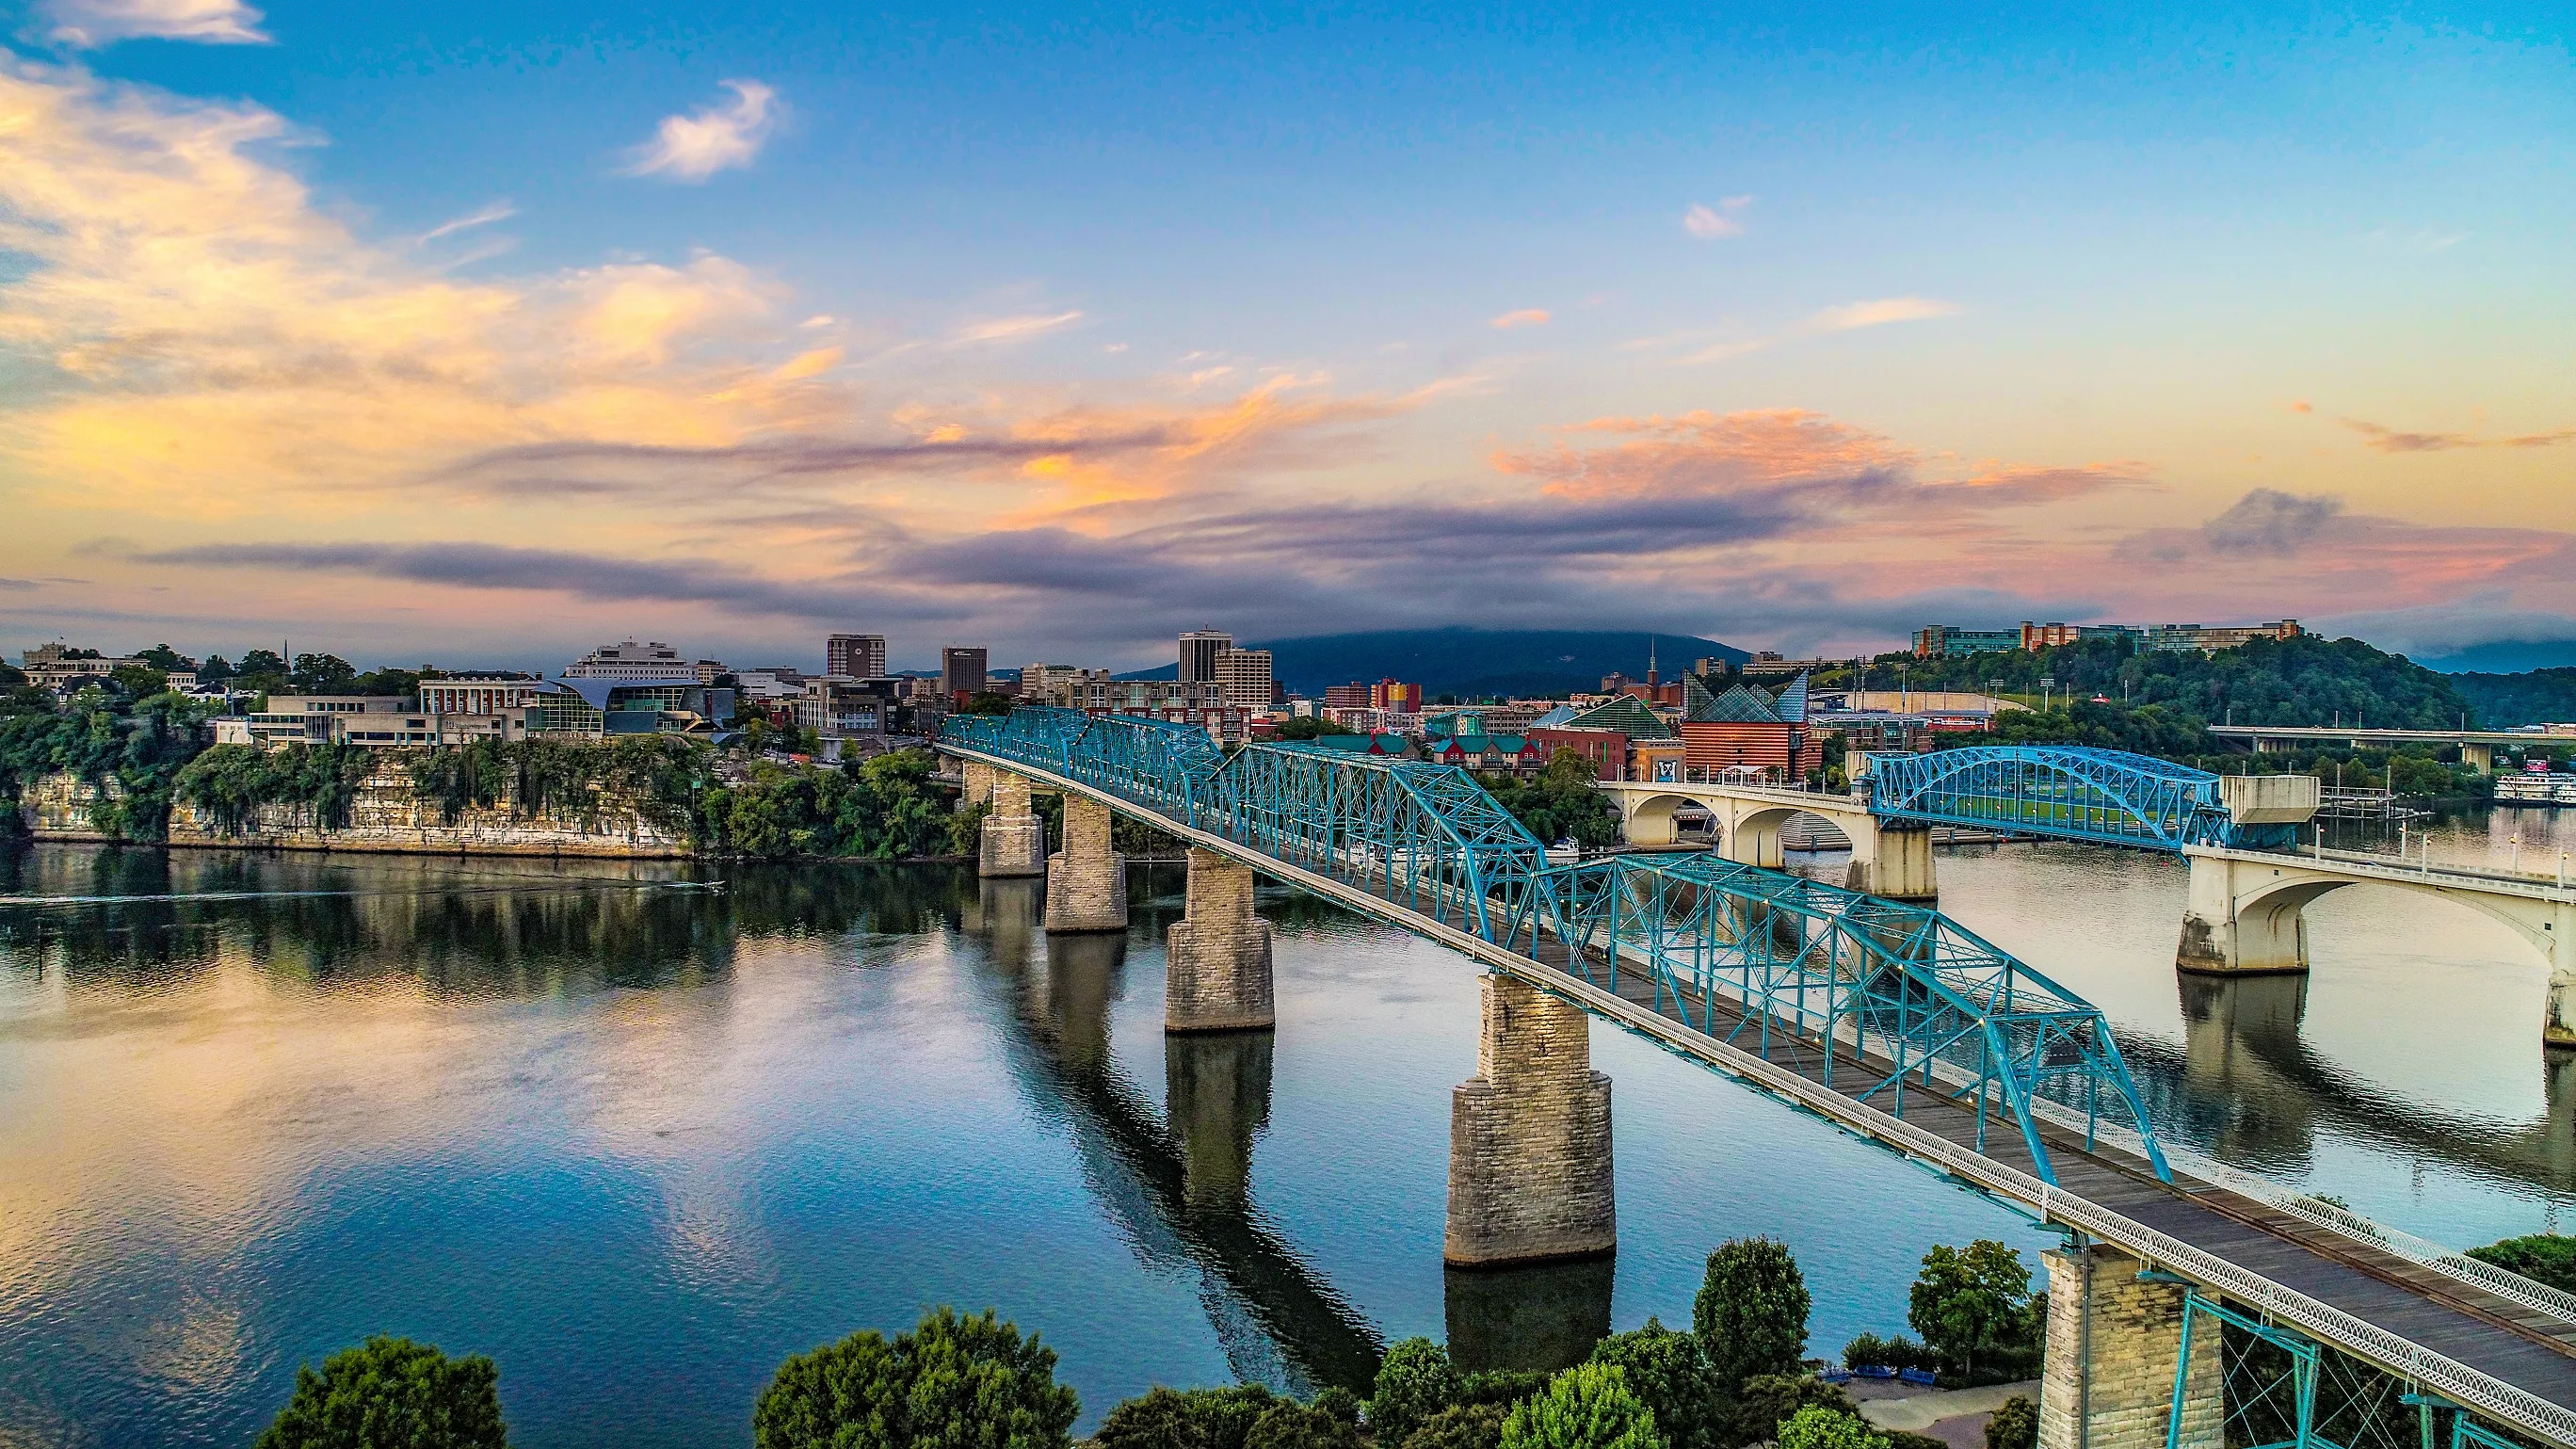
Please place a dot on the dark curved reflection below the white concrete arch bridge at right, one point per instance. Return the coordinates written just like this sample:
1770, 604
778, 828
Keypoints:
2248, 1089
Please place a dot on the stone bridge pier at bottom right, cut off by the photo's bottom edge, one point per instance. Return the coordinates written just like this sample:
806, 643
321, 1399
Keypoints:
2114, 1347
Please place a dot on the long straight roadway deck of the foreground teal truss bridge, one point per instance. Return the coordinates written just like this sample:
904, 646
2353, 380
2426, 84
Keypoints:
2503, 1357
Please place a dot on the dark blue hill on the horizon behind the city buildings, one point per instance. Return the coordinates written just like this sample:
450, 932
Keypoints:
1477, 661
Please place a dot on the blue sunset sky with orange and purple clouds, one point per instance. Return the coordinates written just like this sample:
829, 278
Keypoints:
483, 334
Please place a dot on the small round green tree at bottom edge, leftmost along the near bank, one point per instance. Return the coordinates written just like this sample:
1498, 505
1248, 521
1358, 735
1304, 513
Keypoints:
393, 1394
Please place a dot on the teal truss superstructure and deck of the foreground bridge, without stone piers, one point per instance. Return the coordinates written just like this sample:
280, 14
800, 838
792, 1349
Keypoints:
1882, 1017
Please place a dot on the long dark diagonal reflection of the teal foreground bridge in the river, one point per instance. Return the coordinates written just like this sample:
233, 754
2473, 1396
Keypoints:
1181, 1192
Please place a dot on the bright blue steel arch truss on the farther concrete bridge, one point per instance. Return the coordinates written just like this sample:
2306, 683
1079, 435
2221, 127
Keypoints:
2072, 793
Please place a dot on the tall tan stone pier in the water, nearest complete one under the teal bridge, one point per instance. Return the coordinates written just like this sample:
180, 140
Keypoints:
1531, 1138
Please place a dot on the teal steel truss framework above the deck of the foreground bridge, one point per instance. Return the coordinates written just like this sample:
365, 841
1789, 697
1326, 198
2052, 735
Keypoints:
1763, 960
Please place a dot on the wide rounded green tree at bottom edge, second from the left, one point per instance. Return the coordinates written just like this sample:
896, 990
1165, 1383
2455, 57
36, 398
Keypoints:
960, 1383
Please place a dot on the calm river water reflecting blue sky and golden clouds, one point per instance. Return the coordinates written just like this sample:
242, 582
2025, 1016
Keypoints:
640, 1138
